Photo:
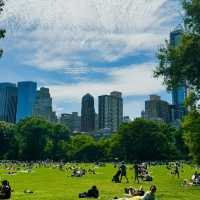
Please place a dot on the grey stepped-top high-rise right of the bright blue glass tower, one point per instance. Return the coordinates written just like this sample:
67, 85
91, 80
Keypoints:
43, 104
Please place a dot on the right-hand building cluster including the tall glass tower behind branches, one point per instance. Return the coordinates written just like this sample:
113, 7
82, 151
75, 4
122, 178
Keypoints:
157, 109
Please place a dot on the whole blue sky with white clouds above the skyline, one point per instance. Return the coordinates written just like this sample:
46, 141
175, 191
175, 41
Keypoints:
76, 47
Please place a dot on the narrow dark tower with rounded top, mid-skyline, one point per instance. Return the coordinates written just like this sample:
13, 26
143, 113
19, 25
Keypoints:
87, 114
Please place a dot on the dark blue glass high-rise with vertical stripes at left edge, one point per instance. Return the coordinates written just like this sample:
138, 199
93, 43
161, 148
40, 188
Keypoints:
8, 102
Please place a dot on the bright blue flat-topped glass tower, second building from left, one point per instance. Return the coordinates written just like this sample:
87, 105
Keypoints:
26, 99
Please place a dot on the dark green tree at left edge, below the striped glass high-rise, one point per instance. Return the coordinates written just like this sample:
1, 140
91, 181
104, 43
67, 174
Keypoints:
8, 142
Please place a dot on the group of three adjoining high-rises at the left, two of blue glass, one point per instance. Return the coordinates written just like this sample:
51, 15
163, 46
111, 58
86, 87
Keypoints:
23, 100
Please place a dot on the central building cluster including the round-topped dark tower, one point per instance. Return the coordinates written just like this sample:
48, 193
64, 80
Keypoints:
108, 119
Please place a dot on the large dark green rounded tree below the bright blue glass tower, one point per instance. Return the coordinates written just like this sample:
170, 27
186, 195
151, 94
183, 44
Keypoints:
33, 135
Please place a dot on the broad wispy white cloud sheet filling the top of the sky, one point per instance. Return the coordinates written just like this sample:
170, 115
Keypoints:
57, 30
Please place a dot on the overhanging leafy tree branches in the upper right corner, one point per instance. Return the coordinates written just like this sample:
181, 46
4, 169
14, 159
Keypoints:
181, 63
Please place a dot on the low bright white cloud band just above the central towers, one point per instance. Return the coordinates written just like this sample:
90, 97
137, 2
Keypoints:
132, 80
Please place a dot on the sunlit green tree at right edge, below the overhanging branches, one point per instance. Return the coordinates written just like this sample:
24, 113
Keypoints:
191, 130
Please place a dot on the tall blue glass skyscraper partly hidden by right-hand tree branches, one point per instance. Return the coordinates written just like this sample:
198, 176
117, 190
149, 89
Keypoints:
179, 93
